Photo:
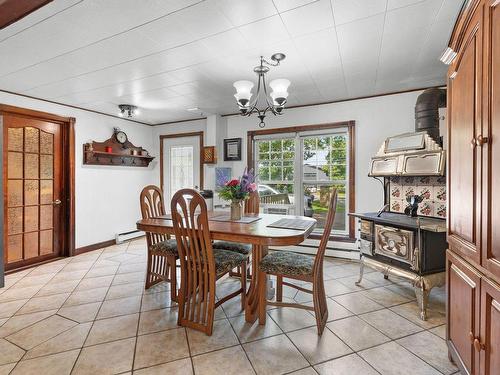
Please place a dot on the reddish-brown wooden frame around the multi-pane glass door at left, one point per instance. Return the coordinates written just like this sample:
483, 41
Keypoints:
68, 176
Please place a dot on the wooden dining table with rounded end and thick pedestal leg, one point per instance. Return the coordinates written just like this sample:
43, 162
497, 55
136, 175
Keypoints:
257, 233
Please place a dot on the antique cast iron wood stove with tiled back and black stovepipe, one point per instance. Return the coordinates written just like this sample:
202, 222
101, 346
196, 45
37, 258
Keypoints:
412, 164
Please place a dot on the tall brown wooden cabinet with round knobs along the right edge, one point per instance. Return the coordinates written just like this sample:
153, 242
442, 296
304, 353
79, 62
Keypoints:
473, 258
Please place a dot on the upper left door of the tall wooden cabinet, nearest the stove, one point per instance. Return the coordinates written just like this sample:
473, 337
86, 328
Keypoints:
464, 172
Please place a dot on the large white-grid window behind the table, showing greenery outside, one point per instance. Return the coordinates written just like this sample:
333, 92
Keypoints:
308, 164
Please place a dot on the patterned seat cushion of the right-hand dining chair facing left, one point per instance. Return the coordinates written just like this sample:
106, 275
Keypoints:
287, 263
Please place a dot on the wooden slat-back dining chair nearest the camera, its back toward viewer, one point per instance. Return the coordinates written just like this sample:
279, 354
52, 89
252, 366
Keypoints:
201, 264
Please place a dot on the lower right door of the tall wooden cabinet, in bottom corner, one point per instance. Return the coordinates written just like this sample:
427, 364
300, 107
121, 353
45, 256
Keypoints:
490, 327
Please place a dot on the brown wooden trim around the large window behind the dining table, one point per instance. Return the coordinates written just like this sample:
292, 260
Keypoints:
350, 125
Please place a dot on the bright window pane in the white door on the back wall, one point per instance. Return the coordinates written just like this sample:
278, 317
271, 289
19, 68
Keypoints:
181, 171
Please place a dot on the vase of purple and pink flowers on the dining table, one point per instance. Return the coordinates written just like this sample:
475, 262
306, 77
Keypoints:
237, 190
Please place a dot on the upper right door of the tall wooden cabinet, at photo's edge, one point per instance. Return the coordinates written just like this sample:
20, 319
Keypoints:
490, 258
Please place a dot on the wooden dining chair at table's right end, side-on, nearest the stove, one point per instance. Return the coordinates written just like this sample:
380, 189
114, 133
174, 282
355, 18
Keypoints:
287, 264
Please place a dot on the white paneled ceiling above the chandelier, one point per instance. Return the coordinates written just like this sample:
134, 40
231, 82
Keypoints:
166, 56
